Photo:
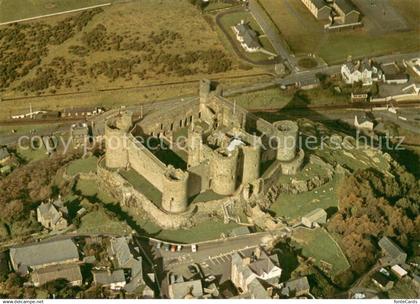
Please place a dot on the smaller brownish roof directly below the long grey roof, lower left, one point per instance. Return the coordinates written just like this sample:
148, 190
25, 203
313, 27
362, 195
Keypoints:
70, 273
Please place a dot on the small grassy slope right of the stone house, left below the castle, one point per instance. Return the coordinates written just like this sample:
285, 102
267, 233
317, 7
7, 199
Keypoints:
98, 222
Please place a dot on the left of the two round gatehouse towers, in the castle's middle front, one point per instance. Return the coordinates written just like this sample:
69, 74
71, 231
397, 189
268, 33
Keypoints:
223, 171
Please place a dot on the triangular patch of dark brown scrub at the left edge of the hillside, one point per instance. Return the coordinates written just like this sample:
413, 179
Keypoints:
22, 46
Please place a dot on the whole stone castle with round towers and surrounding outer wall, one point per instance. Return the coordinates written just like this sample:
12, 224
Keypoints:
205, 146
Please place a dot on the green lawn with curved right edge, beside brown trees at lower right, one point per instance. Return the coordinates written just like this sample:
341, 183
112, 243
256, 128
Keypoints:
318, 244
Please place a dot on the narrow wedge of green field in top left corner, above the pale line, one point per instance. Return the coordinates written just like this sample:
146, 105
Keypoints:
11, 10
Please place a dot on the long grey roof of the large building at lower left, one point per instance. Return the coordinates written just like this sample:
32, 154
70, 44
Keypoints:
39, 254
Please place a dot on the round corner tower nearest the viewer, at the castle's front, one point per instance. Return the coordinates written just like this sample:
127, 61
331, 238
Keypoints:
175, 190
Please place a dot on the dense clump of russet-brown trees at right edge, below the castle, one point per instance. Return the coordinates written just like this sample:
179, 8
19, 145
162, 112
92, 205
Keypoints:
373, 205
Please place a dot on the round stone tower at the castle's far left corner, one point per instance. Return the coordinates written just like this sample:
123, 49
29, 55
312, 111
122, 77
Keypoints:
116, 129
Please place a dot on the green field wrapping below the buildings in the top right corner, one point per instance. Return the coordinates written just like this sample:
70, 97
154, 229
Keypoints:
305, 34
